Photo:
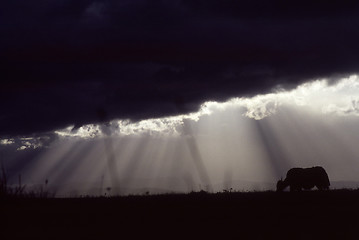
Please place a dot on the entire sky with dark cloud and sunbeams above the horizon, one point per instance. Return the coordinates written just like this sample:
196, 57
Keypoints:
177, 95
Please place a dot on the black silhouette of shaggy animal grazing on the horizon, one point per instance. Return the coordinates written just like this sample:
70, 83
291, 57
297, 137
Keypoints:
306, 178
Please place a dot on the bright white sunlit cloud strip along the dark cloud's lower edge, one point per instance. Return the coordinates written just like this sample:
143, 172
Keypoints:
340, 98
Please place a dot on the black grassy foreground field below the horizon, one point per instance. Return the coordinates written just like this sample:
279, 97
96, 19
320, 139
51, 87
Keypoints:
258, 215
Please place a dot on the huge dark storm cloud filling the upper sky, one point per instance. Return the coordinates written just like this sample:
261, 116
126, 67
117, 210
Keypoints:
75, 62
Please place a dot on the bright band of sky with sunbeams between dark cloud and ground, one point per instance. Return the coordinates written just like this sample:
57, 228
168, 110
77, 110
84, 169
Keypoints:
243, 143
